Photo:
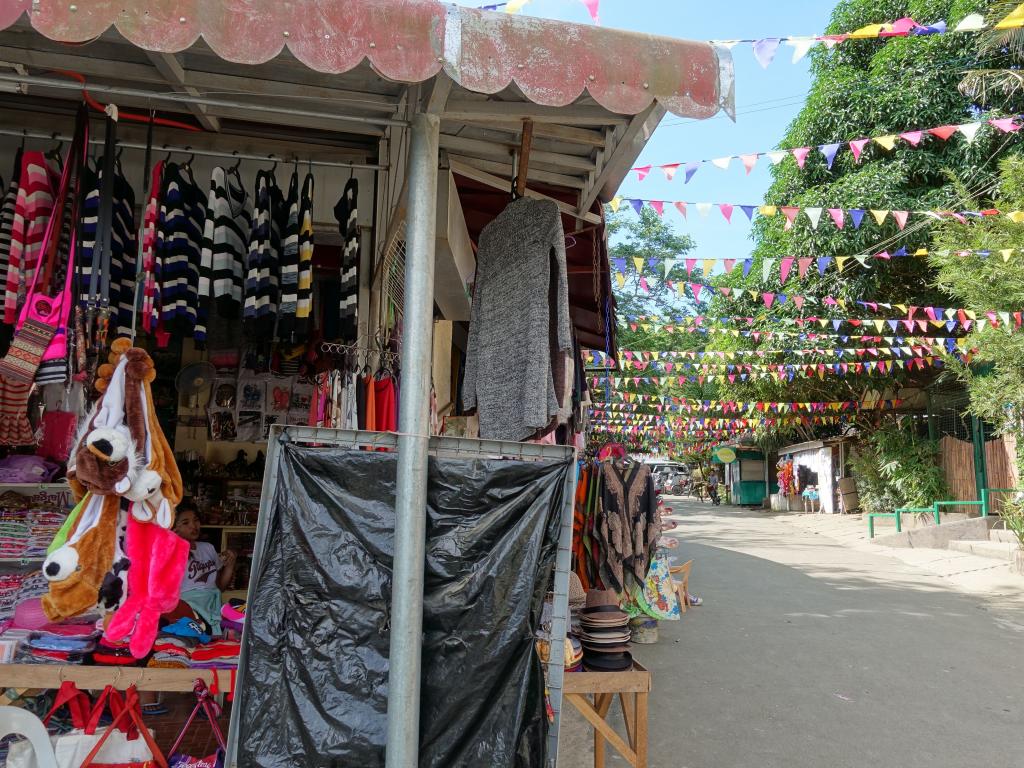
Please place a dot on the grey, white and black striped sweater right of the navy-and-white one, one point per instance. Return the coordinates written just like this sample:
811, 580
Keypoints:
226, 241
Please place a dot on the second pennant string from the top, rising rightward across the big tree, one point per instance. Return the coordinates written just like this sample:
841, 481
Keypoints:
913, 139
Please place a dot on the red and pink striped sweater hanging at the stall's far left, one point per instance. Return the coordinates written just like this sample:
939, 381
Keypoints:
32, 212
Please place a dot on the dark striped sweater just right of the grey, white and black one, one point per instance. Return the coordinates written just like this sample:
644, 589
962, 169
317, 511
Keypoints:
264, 262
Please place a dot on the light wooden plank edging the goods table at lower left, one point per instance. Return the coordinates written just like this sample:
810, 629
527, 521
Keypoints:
97, 678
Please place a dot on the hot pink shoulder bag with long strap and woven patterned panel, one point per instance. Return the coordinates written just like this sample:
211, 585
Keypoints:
41, 329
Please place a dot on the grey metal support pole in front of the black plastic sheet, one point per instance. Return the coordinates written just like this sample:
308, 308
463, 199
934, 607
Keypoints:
414, 428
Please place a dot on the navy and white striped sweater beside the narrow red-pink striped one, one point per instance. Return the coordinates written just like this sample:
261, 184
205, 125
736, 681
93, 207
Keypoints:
180, 240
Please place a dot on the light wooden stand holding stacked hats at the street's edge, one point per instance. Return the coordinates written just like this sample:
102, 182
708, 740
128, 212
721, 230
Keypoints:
593, 694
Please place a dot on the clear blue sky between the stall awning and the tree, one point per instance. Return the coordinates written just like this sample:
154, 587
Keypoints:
766, 103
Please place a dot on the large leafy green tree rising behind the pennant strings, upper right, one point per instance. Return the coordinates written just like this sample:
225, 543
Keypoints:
864, 90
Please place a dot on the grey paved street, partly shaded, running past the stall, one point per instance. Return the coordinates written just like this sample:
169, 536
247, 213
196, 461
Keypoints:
813, 654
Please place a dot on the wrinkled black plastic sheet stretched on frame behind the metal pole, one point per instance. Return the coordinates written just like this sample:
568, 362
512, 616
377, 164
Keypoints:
314, 689
